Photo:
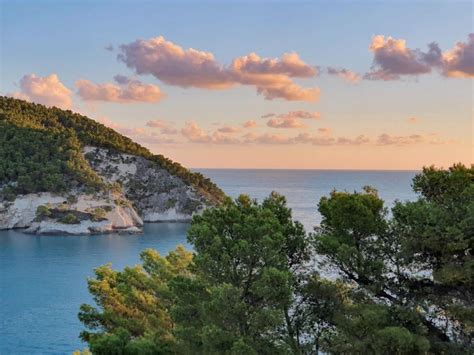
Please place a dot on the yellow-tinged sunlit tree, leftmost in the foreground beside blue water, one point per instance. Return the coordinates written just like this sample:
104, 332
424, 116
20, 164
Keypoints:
133, 315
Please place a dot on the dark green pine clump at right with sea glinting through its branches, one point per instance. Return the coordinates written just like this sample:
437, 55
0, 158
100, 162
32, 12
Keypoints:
414, 271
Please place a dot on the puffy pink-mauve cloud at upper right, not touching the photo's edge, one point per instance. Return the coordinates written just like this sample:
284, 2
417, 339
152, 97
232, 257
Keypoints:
392, 58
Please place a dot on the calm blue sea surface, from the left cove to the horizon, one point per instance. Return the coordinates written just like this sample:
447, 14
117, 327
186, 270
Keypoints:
43, 278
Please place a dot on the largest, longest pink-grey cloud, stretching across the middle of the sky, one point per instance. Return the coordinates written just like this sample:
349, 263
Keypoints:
173, 65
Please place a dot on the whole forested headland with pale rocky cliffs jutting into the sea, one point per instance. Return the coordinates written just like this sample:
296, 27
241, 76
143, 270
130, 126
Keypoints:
53, 151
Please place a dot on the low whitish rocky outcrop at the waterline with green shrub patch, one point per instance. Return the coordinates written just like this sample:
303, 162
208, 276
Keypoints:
45, 213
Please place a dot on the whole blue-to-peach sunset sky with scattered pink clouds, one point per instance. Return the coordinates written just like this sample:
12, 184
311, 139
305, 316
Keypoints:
256, 84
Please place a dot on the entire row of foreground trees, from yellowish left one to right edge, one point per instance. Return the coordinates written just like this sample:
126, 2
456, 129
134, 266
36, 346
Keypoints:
405, 280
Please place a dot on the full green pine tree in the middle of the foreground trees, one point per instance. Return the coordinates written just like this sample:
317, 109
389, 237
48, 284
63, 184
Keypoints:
246, 262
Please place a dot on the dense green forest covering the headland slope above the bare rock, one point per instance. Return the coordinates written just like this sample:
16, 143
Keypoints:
40, 150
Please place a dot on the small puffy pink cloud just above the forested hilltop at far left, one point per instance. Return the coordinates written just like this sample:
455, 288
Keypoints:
47, 90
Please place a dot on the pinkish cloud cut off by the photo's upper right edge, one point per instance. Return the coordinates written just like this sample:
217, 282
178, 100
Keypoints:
459, 61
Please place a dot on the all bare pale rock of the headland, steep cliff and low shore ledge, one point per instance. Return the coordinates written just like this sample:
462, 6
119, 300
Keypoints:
144, 192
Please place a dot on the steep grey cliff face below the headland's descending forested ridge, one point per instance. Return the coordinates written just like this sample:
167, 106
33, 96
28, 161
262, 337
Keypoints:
157, 195
